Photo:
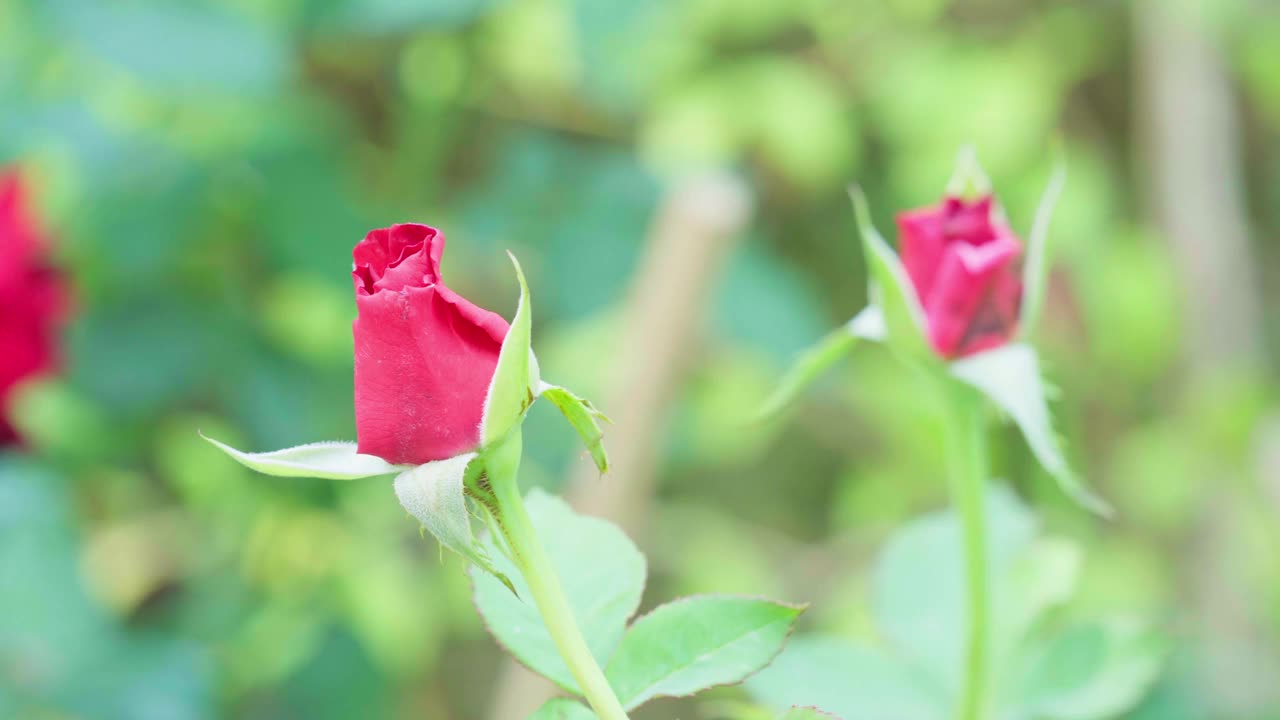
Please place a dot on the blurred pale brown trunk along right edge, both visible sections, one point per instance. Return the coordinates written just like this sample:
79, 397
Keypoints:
1194, 168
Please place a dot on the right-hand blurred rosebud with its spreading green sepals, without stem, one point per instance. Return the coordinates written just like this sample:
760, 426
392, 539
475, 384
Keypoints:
958, 302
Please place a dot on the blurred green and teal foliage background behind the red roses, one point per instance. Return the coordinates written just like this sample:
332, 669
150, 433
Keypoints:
205, 168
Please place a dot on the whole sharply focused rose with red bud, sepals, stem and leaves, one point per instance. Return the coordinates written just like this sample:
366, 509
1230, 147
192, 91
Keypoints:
442, 389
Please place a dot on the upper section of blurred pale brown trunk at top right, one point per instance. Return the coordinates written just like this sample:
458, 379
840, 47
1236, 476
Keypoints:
1194, 172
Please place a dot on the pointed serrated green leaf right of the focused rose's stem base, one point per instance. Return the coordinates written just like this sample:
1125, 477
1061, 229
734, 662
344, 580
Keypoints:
697, 644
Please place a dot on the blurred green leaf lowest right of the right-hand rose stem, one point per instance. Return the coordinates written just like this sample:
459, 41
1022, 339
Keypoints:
1091, 672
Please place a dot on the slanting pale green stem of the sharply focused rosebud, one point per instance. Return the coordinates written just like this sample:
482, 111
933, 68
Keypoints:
545, 585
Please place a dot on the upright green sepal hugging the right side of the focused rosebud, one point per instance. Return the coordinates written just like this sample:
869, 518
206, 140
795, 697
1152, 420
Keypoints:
510, 394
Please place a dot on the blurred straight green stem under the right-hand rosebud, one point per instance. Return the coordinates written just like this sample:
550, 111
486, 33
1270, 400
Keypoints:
967, 459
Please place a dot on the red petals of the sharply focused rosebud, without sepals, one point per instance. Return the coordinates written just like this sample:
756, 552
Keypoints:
424, 356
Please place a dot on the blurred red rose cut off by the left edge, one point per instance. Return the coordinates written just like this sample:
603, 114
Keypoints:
33, 298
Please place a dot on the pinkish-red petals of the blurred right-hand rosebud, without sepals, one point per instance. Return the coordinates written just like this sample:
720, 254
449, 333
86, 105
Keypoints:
964, 266
